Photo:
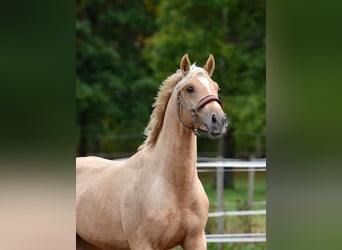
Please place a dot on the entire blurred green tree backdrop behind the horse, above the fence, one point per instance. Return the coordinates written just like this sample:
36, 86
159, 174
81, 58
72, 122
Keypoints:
125, 49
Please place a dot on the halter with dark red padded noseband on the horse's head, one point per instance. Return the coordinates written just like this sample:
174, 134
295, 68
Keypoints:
193, 110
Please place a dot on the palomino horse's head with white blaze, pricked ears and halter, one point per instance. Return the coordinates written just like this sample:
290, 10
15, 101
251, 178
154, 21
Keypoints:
199, 108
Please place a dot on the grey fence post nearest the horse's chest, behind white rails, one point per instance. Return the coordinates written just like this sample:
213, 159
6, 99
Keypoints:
220, 208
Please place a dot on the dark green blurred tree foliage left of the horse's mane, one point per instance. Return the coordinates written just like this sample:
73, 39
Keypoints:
112, 80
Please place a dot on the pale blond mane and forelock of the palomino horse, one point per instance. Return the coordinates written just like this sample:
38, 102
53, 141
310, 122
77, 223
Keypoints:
165, 90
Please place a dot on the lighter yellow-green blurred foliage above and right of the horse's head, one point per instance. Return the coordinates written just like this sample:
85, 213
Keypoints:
234, 32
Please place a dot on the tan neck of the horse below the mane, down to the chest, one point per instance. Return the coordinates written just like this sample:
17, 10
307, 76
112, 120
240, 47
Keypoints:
176, 149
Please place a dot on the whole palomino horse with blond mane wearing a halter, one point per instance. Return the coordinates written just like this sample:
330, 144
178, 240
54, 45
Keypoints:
154, 200
